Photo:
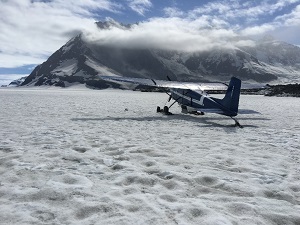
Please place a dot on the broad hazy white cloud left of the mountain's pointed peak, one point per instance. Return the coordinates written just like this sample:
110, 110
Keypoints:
32, 30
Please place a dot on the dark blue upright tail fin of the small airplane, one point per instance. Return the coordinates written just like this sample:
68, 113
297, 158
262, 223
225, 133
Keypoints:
232, 96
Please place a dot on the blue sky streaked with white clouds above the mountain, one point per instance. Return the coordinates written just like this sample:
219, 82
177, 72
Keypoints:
32, 30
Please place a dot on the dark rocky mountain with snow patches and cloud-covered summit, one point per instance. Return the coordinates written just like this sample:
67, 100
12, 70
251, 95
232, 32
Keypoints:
79, 61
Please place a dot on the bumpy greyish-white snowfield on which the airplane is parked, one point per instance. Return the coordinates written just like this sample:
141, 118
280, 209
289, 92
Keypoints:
80, 156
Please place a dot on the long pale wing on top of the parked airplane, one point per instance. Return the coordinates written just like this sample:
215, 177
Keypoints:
167, 84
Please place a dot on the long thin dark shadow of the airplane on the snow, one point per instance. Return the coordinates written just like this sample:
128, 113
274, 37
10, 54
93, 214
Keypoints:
202, 121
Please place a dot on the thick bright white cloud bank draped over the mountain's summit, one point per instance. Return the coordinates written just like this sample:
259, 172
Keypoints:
163, 33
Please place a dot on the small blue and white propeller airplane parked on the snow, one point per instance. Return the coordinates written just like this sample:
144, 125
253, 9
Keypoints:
192, 97
